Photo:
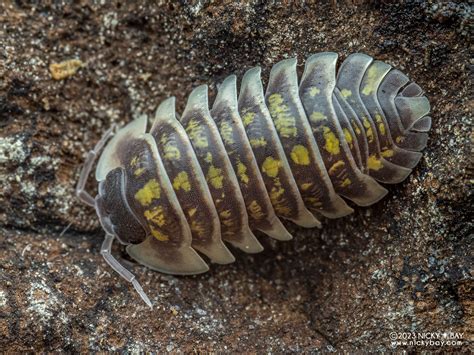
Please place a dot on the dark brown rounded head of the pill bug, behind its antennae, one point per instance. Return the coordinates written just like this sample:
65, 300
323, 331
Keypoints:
113, 206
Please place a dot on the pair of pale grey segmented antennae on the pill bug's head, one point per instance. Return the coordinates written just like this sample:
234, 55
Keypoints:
84, 196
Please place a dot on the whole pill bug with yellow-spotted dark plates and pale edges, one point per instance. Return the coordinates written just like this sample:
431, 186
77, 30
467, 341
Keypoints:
296, 152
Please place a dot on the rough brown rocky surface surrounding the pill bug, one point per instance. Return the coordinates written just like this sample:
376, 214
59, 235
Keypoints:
403, 265
